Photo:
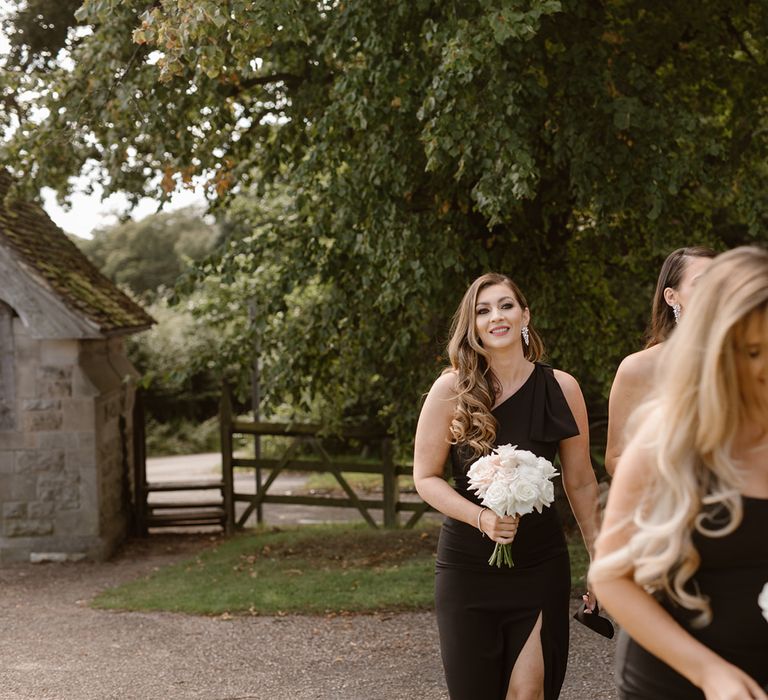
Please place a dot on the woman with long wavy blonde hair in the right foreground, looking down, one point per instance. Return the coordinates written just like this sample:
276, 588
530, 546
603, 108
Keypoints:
683, 554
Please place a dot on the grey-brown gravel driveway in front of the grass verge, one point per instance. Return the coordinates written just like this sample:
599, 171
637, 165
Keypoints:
53, 646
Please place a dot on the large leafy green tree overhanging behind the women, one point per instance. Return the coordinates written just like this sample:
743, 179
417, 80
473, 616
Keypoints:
411, 145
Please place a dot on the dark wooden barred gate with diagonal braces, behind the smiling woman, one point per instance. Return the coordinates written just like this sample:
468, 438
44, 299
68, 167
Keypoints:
306, 454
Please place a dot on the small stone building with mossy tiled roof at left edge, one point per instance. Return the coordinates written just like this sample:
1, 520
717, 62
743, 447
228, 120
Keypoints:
66, 394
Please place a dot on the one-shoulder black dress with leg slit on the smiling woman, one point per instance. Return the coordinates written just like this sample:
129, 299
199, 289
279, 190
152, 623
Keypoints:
485, 614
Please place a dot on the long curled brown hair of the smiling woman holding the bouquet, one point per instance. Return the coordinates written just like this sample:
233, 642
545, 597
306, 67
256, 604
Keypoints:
476, 386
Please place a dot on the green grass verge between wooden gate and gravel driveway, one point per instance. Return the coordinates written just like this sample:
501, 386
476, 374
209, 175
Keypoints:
308, 570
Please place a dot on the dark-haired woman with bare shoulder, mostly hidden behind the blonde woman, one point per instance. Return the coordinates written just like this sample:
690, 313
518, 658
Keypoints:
634, 378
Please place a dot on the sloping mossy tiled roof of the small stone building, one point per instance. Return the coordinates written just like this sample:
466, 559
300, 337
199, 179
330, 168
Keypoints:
47, 254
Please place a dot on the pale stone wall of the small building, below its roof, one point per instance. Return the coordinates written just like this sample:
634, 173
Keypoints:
65, 466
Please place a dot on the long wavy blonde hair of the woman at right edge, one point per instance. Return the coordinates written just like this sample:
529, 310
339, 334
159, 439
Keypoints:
687, 428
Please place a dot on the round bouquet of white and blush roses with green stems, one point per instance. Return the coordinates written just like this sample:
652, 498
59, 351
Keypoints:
512, 482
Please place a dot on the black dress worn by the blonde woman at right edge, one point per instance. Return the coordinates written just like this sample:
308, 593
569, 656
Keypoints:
732, 573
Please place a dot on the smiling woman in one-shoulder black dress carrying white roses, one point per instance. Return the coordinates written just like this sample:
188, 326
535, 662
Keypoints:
503, 631
